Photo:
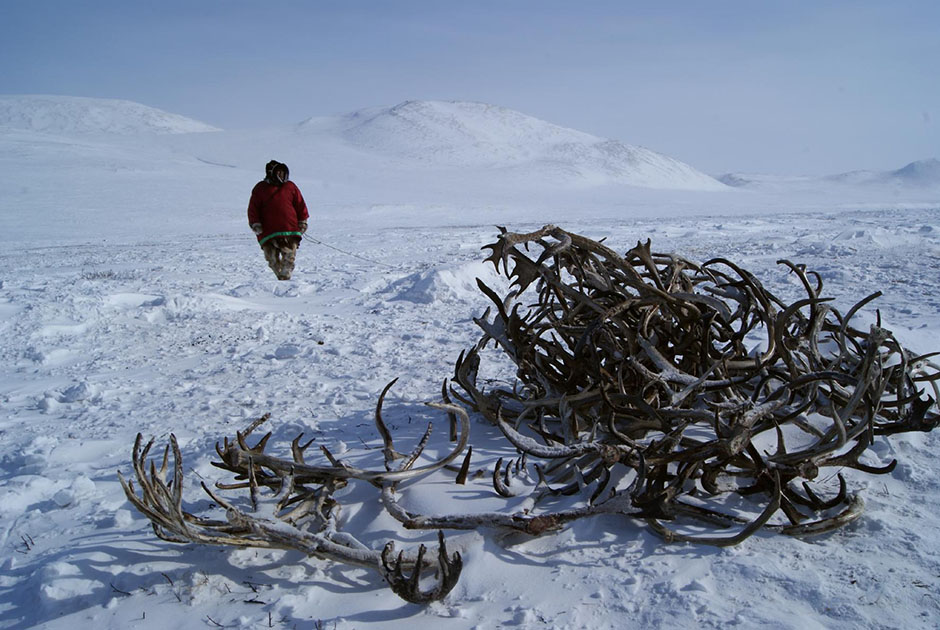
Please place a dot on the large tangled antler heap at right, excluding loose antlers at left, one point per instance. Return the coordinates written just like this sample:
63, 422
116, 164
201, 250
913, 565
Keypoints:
648, 362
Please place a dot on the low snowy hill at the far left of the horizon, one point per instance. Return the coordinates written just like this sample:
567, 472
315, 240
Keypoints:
80, 115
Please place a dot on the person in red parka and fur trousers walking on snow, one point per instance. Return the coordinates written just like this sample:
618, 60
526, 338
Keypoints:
278, 216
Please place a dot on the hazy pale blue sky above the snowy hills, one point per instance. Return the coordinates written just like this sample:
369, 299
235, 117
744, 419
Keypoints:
798, 87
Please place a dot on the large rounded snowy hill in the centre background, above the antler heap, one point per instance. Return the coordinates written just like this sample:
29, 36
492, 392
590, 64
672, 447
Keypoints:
489, 136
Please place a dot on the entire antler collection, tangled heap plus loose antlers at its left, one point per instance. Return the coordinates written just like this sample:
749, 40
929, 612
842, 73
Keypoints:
647, 386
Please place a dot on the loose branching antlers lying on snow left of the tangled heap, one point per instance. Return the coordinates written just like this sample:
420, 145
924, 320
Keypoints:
300, 511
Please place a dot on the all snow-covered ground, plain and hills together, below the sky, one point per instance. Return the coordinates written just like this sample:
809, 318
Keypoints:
133, 298
